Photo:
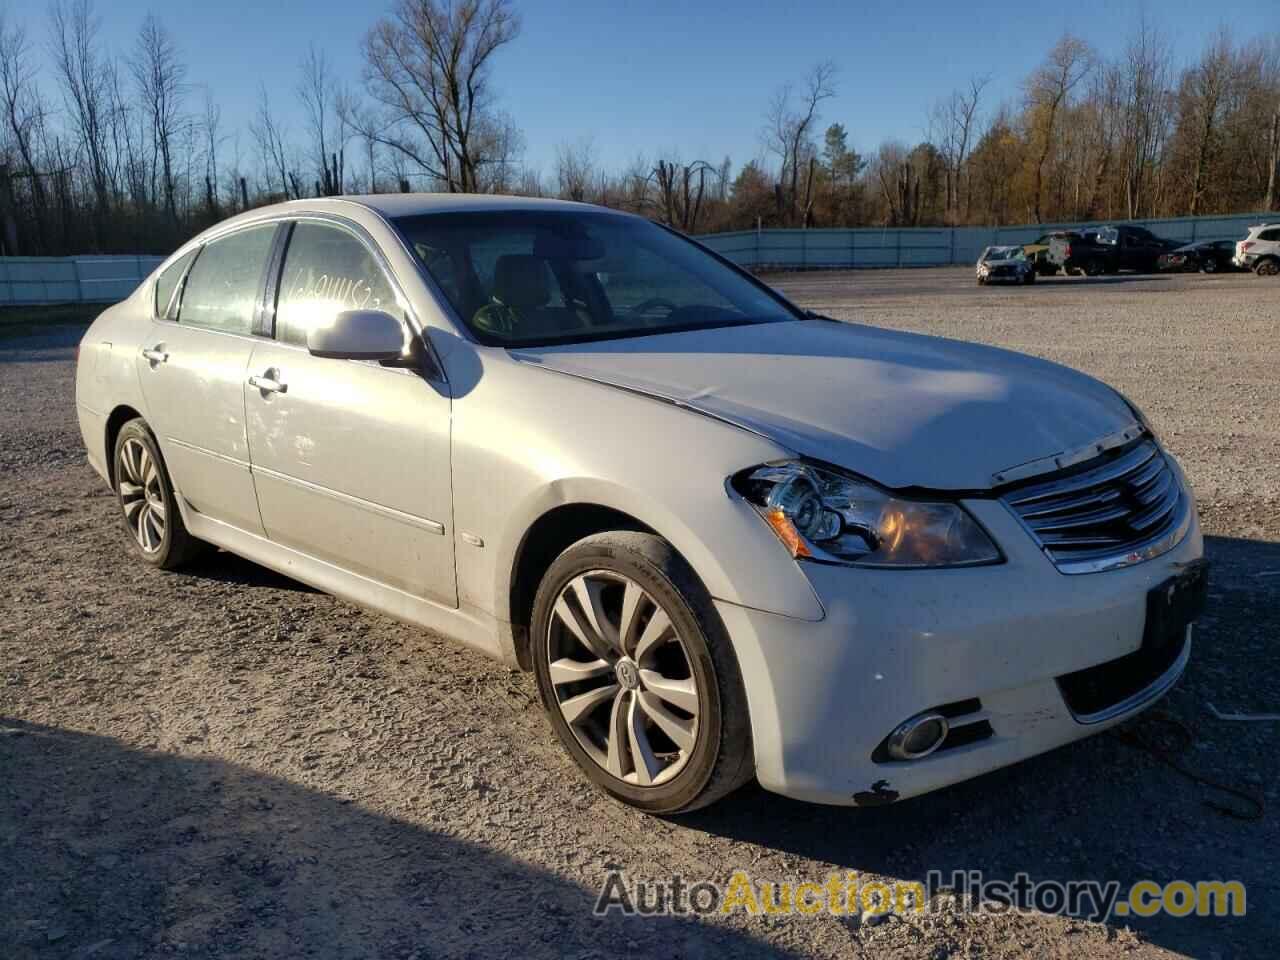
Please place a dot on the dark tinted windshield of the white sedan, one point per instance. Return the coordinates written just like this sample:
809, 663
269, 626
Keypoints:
531, 278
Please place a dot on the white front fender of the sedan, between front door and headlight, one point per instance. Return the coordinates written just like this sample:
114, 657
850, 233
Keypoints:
527, 441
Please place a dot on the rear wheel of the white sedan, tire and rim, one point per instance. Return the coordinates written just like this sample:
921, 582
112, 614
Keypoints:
149, 510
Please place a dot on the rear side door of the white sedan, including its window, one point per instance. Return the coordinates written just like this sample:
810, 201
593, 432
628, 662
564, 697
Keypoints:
193, 372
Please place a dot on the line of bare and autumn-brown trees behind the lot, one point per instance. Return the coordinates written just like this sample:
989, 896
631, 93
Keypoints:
124, 152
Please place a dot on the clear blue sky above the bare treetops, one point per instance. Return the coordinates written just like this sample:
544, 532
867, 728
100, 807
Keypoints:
696, 76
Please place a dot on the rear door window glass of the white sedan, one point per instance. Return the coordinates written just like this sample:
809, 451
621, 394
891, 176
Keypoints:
223, 285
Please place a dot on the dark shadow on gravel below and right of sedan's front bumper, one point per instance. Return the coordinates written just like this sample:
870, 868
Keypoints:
1107, 808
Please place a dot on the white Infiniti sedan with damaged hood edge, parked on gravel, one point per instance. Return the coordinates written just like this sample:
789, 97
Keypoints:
729, 538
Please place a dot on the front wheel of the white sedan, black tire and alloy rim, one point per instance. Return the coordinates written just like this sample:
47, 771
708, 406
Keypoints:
689, 653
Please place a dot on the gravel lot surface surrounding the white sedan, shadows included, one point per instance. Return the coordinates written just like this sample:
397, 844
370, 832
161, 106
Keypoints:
227, 764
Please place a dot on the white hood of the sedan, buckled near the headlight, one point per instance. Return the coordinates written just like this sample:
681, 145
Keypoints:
900, 409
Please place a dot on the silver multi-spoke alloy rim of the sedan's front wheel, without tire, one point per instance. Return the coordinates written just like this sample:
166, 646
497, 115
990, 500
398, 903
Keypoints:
623, 678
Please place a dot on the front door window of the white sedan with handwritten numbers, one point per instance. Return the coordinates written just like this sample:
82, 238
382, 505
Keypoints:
327, 271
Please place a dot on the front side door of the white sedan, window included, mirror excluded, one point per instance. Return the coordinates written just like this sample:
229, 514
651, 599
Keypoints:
351, 459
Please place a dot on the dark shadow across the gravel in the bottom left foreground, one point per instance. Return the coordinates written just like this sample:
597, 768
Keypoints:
111, 852
